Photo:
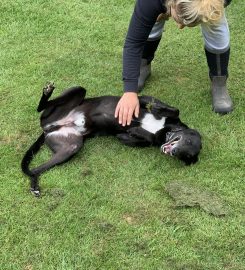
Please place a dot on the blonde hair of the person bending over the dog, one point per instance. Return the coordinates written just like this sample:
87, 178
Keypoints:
193, 12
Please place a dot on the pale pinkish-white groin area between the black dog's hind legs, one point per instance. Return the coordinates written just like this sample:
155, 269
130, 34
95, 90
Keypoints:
72, 124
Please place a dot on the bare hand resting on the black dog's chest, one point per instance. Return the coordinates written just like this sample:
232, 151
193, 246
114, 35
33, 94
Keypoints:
126, 107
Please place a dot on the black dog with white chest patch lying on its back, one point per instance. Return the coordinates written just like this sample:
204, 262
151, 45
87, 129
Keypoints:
70, 118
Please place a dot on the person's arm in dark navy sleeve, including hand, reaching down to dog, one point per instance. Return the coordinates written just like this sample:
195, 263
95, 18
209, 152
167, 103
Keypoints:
143, 18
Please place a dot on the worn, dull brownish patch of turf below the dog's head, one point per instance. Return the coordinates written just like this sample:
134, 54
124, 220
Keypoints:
186, 195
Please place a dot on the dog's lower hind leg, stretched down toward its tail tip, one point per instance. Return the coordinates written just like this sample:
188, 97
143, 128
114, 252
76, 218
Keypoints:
63, 149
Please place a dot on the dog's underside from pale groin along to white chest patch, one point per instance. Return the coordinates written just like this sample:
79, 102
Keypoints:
80, 122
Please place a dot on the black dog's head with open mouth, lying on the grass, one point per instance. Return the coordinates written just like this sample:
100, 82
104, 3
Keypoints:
184, 144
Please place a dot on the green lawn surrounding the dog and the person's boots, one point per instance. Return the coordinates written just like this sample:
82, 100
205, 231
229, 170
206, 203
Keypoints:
107, 208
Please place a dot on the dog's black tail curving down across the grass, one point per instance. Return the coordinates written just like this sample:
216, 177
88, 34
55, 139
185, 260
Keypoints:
30, 154
